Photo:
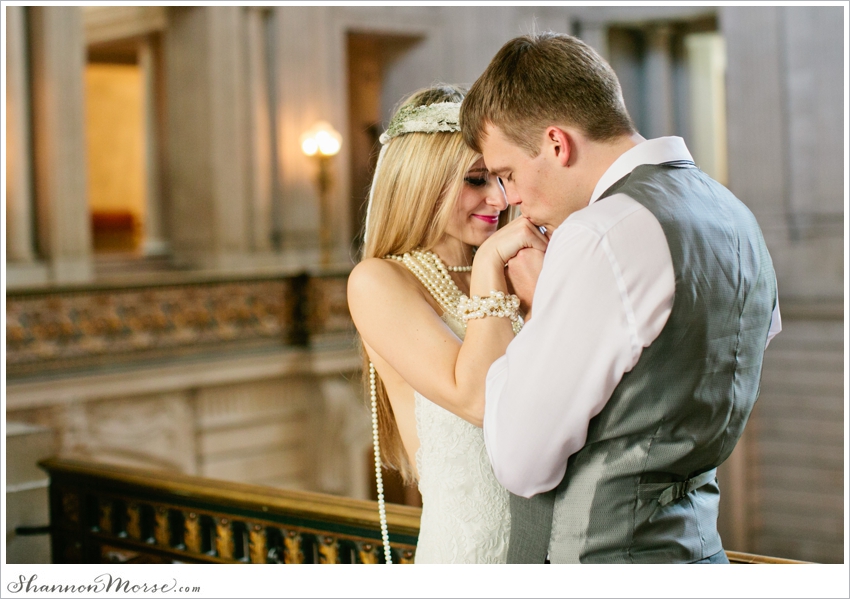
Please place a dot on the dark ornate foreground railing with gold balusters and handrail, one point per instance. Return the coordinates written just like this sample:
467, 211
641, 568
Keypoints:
101, 513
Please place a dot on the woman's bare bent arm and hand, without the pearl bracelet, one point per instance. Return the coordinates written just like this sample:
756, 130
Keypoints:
393, 314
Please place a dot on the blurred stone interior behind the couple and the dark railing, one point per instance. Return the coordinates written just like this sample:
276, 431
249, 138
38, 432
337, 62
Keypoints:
175, 274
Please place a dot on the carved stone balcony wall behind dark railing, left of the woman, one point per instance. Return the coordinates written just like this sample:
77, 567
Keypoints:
249, 381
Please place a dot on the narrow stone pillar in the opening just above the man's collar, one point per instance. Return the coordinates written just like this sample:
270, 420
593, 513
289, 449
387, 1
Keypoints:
659, 84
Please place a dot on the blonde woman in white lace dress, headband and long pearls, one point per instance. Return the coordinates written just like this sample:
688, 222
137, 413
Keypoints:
427, 345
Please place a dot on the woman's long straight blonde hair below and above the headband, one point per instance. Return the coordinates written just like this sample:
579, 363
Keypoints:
415, 190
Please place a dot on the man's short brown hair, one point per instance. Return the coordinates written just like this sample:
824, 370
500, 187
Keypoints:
545, 79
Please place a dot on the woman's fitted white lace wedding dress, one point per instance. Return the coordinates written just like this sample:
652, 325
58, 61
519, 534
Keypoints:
465, 513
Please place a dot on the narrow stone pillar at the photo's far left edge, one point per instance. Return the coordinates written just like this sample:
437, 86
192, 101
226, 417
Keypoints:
19, 211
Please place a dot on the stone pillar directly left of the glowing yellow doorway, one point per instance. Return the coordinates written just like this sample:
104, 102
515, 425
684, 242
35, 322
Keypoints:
58, 62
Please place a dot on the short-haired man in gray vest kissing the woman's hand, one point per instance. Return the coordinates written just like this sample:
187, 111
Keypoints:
611, 410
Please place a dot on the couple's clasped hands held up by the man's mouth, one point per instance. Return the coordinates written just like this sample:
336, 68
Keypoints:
519, 247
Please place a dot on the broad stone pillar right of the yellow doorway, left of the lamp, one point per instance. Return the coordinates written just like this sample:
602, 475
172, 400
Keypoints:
206, 111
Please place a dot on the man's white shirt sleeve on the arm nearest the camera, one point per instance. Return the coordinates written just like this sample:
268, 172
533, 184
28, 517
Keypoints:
605, 293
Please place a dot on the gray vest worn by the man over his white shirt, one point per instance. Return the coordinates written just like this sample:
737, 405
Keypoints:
643, 488
